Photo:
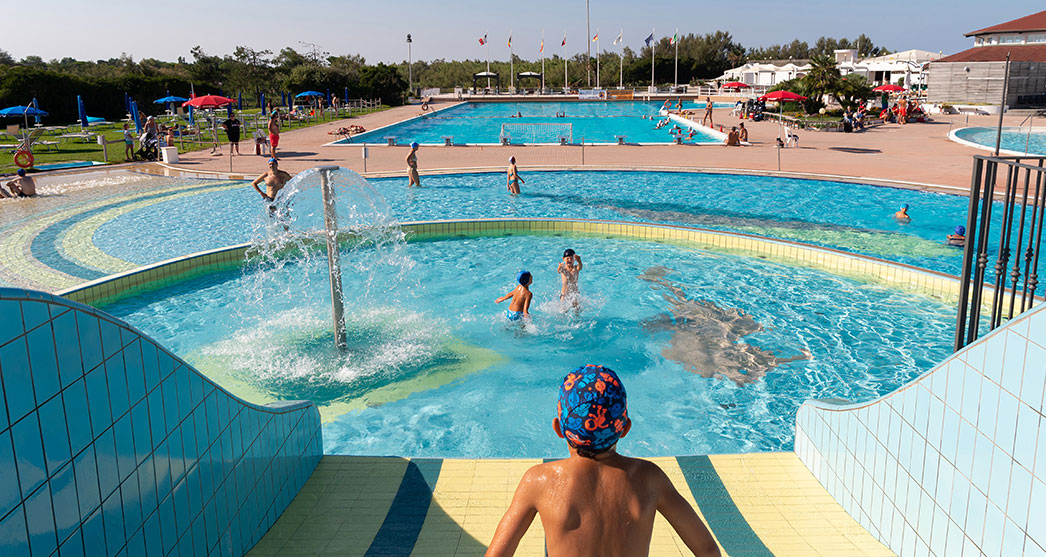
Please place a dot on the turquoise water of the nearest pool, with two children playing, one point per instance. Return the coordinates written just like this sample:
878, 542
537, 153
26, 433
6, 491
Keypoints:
437, 370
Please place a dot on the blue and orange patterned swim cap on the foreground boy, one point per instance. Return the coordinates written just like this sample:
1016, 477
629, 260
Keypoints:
593, 408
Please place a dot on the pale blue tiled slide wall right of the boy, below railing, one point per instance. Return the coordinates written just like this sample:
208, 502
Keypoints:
954, 463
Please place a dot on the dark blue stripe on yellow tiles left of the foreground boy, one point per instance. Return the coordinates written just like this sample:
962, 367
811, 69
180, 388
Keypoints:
404, 521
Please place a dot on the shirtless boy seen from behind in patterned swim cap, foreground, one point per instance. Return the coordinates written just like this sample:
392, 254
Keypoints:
598, 502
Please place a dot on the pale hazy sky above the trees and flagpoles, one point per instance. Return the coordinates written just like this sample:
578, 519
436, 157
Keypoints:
451, 29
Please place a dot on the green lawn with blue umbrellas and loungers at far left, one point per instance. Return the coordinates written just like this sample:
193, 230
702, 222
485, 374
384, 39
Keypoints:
75, 150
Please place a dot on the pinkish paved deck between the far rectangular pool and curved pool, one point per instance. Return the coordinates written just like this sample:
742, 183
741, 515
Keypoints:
919, 153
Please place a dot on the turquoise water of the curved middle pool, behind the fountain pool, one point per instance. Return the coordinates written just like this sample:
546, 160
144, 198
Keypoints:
850, 217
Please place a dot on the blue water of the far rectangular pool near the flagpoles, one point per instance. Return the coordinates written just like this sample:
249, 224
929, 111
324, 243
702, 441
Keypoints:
482, 123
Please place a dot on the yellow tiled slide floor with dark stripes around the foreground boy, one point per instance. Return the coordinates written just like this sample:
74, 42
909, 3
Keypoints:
759, 504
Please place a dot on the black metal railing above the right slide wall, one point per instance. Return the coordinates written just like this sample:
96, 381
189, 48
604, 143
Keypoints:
1020, 185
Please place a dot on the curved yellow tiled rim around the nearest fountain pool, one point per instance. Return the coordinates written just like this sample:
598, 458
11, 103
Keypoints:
110, 289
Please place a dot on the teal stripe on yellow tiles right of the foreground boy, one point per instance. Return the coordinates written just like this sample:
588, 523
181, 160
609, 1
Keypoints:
726, 522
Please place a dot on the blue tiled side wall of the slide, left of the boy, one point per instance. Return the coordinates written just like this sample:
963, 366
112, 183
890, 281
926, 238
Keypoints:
111, 446
